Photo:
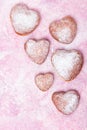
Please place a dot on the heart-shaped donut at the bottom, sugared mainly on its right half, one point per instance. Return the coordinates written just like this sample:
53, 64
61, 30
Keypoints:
66, 102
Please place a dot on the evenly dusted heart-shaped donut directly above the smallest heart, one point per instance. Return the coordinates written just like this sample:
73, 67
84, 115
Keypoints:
37, 50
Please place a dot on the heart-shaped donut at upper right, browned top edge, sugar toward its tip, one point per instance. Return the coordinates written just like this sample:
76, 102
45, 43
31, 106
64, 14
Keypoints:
64, 30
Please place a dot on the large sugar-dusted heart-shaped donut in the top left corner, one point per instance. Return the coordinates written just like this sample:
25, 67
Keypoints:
24, 20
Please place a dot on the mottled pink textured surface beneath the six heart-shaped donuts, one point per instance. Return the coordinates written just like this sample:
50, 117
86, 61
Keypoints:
22, 105
